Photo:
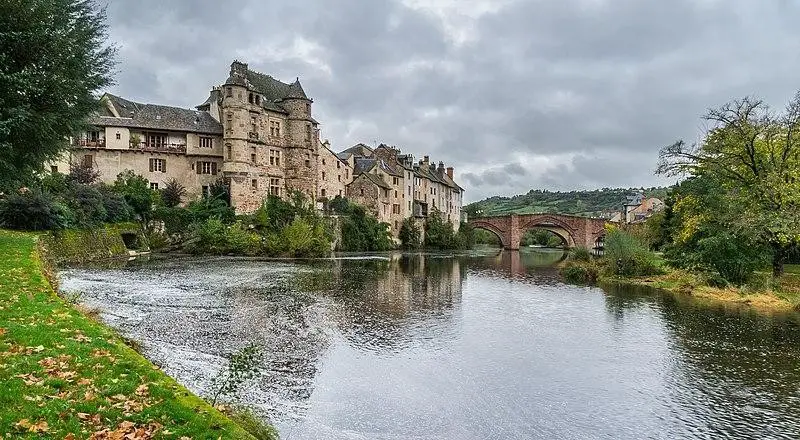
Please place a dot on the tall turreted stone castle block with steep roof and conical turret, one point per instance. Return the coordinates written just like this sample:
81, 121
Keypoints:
271, 141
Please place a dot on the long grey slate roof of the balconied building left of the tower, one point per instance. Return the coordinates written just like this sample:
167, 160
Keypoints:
155, 117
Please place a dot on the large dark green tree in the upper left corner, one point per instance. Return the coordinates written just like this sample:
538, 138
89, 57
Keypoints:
53, 59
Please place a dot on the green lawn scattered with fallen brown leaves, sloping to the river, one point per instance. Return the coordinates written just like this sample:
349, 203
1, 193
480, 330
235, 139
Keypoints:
65, 376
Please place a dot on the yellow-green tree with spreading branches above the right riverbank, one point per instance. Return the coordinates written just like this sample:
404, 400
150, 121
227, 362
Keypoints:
753, 154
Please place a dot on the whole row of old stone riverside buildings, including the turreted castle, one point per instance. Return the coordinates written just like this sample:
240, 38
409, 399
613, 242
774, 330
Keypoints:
258, 136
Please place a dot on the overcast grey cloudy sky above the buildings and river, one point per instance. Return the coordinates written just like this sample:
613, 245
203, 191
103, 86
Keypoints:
514, 94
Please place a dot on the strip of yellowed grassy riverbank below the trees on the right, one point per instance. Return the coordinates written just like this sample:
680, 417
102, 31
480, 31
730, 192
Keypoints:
676, 282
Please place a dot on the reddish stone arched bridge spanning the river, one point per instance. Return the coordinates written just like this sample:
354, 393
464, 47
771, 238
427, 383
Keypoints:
573, 230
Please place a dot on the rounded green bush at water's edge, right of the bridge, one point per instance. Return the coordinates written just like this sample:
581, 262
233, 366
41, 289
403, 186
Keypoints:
626, 256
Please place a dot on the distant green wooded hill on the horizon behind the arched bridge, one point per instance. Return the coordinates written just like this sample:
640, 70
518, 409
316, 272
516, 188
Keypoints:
585, 203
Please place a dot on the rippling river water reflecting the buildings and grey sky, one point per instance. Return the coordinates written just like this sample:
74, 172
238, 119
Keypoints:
482, 346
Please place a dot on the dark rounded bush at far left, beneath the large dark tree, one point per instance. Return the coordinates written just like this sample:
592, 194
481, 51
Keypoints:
33, 210
